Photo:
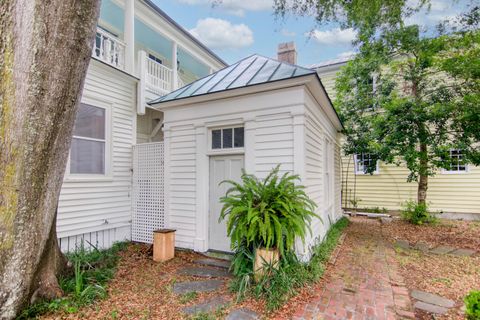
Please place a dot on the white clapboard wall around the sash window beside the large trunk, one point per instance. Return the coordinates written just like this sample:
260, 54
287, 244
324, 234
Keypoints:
99, 210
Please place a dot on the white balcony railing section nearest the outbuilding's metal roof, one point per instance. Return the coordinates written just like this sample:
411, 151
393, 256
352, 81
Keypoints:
158, 77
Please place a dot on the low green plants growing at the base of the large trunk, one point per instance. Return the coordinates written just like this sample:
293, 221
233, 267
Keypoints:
91, 272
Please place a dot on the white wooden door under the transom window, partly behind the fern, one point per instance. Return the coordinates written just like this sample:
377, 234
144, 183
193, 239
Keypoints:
221, 168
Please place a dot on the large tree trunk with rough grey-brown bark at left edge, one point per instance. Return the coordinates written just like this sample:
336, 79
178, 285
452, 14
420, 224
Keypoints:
45, 50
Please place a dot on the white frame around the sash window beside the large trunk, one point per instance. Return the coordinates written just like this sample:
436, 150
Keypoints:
107, 175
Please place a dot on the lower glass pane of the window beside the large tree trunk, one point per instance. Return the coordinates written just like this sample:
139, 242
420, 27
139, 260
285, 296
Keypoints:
87, 157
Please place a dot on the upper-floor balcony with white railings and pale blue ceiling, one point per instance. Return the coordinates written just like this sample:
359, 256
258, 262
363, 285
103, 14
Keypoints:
137, 37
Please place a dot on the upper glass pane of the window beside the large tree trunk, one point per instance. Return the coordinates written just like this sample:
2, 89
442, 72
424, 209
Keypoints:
90, 122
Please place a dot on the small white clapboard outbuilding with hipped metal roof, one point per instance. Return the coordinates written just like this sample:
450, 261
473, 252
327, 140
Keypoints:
252, 115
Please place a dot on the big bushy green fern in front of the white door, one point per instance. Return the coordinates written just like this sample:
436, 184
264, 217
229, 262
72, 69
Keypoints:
268, 213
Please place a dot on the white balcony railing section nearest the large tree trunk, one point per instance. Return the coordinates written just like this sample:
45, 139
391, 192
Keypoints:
109, 49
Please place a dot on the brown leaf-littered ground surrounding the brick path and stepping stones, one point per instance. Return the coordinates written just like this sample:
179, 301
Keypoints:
142, 289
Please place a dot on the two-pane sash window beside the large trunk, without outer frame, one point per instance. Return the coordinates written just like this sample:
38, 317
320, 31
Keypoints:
87, 153
